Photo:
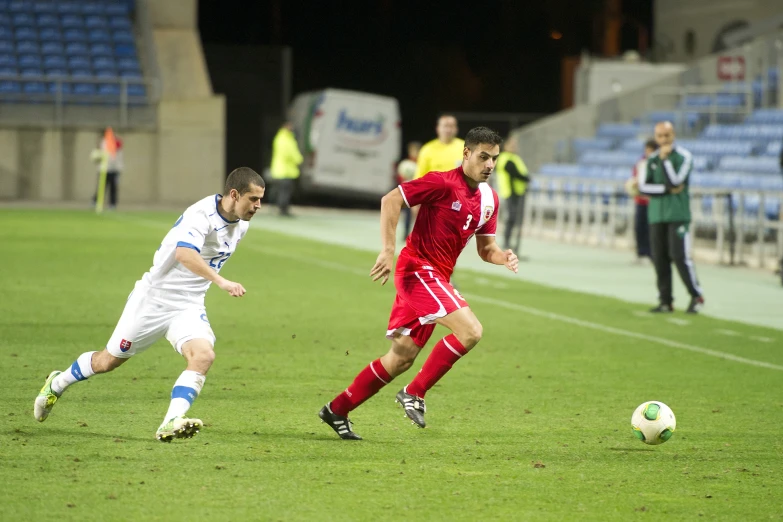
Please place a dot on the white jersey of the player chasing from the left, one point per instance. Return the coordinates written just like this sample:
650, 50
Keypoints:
202, 228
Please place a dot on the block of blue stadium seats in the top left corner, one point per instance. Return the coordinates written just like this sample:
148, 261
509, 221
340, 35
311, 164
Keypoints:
82, 51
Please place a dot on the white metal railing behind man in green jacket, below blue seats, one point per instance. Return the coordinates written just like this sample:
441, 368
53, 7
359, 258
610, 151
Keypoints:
599, 212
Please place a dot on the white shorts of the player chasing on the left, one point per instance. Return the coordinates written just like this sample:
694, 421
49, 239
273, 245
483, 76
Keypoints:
151, 314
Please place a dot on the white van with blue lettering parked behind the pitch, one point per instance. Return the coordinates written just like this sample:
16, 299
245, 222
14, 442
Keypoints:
350, 142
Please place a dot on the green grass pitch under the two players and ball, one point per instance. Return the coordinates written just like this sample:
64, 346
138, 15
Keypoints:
533, 425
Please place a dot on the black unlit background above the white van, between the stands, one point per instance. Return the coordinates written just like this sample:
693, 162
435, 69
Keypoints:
488, 56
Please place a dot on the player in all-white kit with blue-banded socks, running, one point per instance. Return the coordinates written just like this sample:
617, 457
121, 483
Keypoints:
168, 301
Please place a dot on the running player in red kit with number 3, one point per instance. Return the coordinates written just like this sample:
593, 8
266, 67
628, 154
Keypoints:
455, 206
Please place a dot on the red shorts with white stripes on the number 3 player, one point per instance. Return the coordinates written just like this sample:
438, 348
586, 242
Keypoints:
423, 296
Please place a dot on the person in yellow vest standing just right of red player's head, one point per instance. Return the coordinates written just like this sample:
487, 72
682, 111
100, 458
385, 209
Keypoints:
512, 177
